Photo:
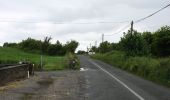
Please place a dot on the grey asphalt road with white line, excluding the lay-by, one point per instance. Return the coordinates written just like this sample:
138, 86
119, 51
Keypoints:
109, 83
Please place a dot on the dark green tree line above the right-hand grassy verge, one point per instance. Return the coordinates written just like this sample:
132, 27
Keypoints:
140, 43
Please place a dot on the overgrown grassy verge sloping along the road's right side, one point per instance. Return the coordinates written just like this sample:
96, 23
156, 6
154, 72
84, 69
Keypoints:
155, 69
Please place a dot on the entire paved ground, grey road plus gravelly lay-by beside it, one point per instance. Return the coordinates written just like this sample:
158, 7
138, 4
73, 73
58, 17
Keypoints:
95, 81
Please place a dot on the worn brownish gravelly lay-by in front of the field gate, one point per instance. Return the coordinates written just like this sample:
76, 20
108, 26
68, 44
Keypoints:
48, 85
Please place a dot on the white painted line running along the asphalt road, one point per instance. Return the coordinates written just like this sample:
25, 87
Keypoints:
132, 91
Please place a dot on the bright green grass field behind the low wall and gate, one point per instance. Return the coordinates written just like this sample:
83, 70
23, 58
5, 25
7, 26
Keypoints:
11, 55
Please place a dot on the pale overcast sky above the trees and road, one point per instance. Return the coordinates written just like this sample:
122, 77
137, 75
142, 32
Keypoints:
80, 20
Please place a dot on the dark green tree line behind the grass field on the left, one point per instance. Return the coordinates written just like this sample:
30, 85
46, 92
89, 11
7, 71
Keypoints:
45, 47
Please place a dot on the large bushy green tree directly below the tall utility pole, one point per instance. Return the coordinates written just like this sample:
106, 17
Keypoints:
134, 44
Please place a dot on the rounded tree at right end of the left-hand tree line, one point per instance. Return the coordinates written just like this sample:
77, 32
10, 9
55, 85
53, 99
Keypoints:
71, 46
